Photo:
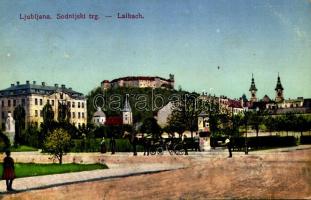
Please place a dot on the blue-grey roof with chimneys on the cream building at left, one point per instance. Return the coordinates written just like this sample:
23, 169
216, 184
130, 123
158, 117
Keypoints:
34, 88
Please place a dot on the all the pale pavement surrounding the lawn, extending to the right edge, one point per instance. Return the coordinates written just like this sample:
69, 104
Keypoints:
121, 165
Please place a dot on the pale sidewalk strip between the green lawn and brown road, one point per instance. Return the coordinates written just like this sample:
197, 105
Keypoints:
46, 181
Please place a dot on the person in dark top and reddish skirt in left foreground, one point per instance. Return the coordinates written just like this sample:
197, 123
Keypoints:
8, 171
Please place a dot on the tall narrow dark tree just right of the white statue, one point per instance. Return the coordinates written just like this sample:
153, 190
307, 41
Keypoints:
19, 117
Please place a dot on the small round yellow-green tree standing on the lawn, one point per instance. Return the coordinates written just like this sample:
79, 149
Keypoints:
57, 143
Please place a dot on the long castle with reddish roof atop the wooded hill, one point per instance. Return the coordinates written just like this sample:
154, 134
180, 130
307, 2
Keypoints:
140, 82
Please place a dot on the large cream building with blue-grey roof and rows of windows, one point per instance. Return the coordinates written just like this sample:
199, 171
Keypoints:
33, 97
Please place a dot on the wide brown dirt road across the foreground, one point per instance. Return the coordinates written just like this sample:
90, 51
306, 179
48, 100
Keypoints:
285, 175
